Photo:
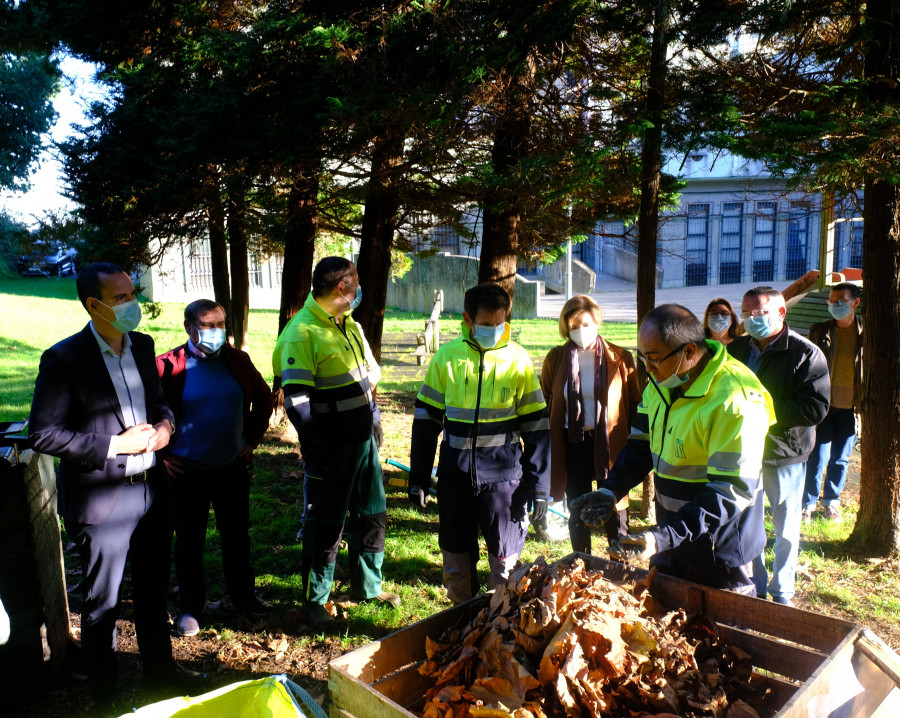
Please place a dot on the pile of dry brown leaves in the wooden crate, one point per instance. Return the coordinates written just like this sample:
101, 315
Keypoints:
563, 641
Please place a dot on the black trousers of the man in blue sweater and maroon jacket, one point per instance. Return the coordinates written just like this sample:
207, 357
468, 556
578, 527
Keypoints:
228, 490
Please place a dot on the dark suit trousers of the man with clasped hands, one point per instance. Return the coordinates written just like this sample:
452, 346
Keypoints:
138, 529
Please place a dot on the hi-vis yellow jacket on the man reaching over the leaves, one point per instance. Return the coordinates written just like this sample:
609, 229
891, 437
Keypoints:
706, 449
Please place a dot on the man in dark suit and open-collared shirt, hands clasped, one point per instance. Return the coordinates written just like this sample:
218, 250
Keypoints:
99, 407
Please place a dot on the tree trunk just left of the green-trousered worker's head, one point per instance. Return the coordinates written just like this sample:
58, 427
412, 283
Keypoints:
300, 242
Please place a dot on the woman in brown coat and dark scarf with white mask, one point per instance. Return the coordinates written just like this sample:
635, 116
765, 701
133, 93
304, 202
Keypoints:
591, 422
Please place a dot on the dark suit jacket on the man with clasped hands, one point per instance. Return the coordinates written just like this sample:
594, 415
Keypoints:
74, 413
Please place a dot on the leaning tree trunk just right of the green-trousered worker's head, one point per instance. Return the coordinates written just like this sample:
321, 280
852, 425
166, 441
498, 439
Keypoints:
379, 223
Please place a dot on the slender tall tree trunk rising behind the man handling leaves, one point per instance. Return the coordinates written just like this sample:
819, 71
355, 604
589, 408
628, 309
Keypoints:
648, 224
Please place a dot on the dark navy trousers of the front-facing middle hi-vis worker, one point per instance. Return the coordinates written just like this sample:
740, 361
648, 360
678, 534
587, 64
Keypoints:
462, 512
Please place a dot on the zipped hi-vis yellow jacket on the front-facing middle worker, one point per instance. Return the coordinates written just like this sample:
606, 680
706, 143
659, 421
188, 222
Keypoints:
487, 403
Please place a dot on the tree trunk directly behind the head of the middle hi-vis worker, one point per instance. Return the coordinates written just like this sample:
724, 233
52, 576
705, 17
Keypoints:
503, 209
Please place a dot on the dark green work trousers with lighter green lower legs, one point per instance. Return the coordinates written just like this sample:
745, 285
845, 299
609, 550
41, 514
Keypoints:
354, 484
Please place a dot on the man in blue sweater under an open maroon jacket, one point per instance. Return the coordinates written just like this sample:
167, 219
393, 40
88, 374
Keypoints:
222, 407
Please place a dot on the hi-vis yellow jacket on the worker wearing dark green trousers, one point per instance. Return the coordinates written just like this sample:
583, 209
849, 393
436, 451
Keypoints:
324, 375
